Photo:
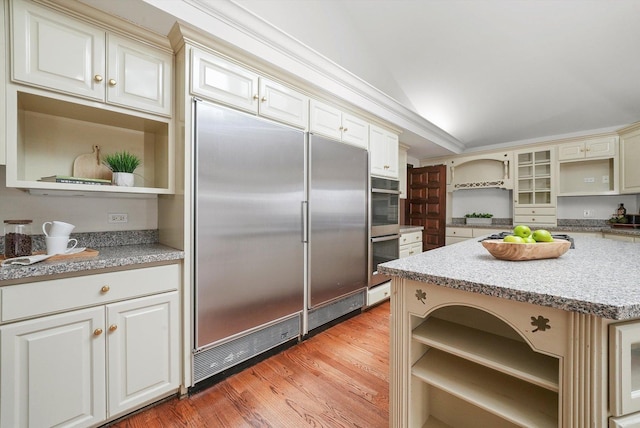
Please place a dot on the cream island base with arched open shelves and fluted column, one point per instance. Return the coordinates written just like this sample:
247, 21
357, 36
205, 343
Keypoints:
460, 359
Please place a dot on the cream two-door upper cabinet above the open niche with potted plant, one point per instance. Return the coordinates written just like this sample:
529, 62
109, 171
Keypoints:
67, 55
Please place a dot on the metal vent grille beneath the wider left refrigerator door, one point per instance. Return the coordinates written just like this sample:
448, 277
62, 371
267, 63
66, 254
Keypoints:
214, 360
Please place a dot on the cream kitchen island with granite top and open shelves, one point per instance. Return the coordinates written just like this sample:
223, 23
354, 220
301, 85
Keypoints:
477, 341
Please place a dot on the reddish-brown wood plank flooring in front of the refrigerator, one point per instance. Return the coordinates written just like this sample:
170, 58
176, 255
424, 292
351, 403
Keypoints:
337, 378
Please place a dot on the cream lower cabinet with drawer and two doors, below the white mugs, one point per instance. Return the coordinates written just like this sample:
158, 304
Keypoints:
83, 367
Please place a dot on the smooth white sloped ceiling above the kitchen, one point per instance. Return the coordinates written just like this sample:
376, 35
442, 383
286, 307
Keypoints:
488, 72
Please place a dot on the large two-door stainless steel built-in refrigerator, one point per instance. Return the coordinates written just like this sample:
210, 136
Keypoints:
261, 192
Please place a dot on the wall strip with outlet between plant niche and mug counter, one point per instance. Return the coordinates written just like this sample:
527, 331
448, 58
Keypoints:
87, 213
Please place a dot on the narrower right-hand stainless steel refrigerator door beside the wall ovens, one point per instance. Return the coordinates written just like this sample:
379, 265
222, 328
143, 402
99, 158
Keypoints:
338, 227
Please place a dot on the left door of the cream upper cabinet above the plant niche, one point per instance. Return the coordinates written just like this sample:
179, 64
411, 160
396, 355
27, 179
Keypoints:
57, 52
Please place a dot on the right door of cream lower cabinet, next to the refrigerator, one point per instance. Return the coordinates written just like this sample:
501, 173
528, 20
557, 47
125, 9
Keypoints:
143, 350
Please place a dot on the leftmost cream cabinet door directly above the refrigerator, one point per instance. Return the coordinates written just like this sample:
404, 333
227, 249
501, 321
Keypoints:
220, 80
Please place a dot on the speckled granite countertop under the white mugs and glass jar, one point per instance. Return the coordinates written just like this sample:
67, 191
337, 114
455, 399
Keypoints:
108, 257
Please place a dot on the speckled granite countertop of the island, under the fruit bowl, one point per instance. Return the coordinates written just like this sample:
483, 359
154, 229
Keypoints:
599, 277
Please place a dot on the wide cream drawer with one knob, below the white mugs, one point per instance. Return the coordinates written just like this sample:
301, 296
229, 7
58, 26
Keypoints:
43, 297
